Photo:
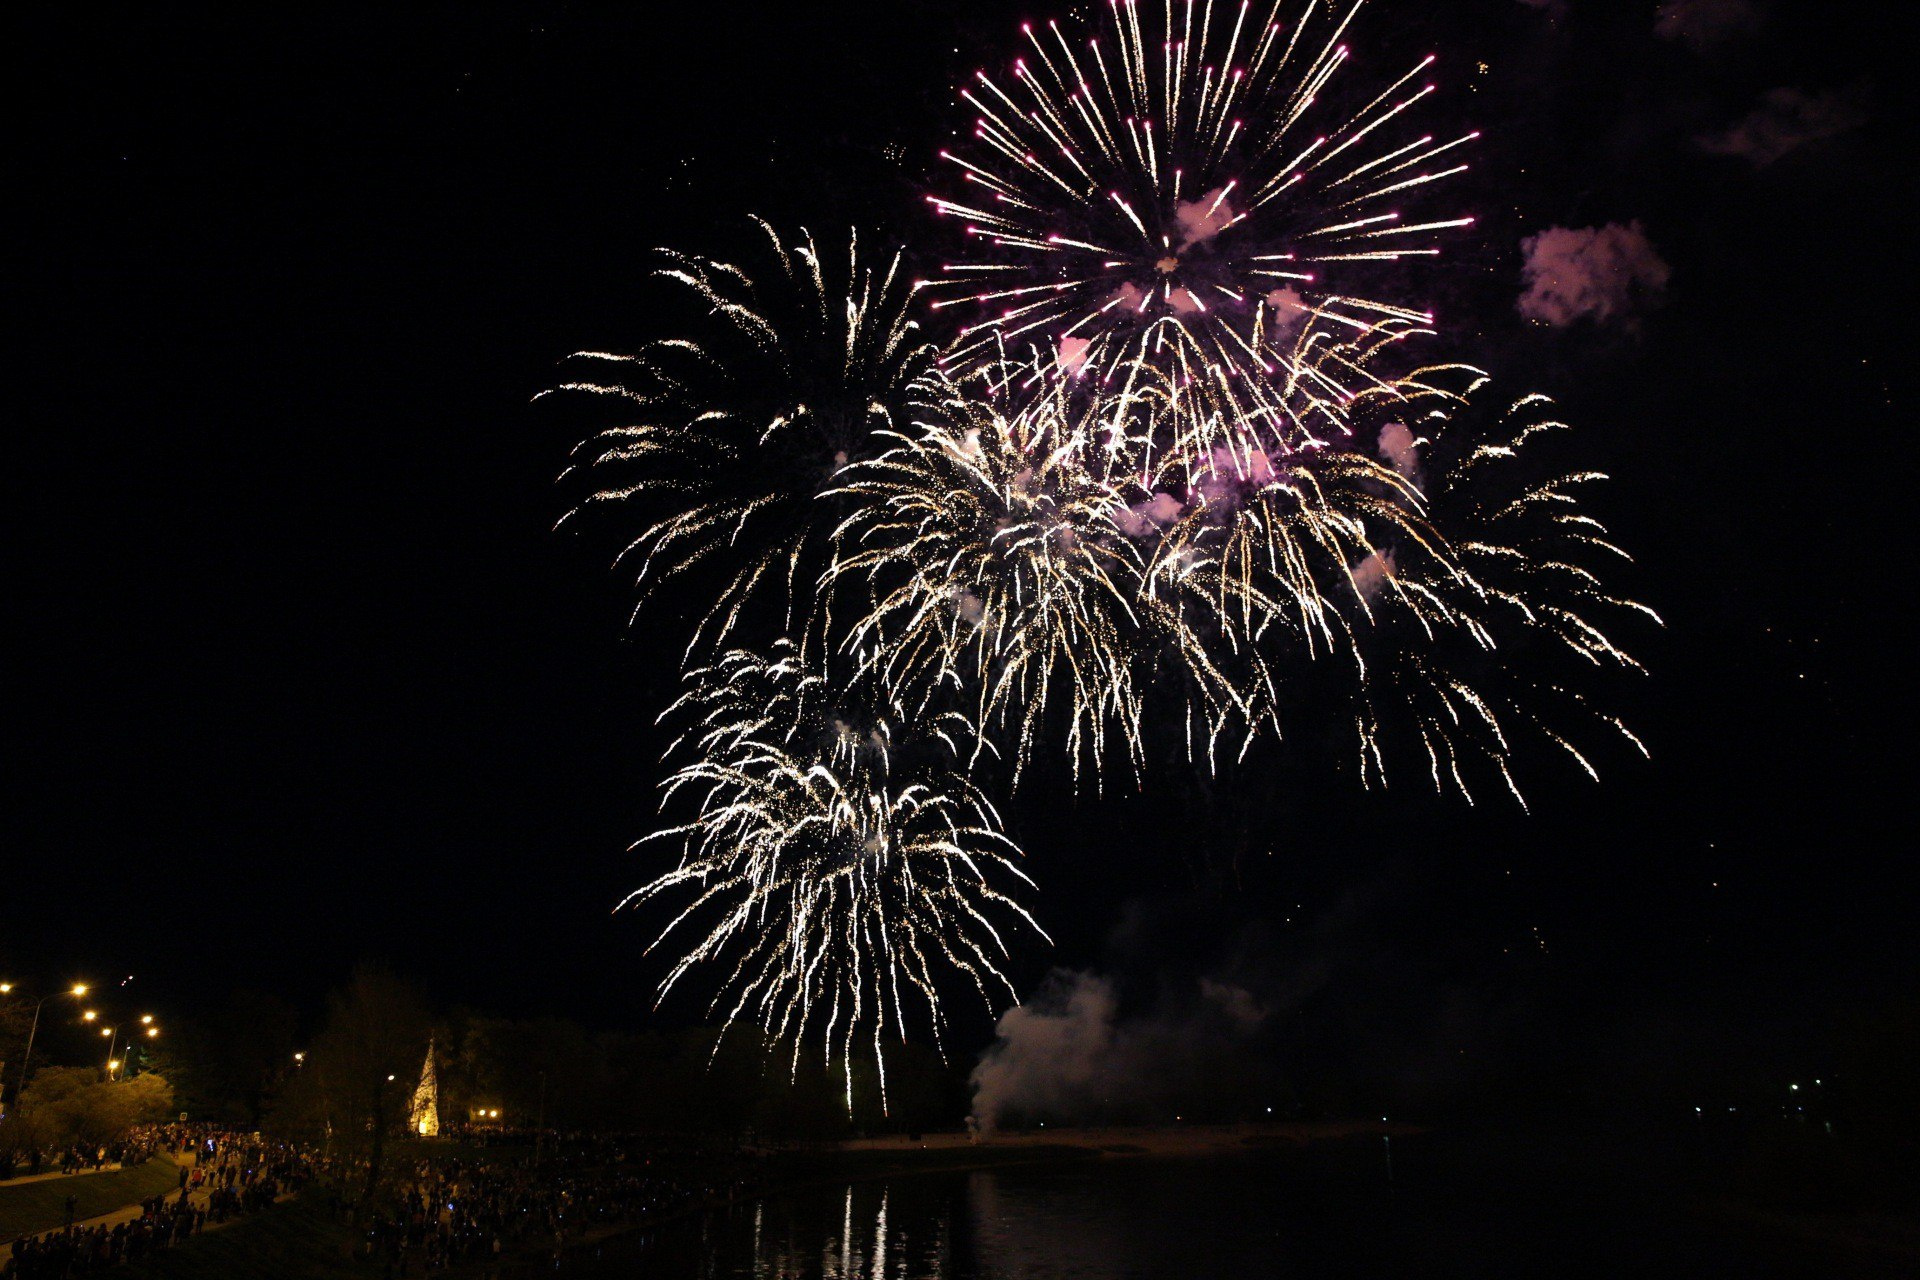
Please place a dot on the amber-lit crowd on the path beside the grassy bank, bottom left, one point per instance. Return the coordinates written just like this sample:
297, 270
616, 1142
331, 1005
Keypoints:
222, 1175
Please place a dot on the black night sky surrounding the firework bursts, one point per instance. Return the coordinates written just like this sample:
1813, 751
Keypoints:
302, 673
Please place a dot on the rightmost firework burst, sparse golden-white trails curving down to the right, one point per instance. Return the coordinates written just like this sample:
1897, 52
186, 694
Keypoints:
1439, 657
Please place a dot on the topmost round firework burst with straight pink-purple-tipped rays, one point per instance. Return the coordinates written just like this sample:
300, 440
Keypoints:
1184, 189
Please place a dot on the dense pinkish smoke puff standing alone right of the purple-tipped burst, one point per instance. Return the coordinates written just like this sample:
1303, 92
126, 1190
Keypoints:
1600, 273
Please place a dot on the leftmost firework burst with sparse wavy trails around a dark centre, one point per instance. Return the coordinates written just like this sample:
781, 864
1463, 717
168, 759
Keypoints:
742, 429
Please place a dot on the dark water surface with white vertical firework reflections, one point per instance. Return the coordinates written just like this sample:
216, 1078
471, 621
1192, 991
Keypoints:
1483, 1214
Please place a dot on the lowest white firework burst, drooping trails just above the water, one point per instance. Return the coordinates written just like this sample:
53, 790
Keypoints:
832, 872
